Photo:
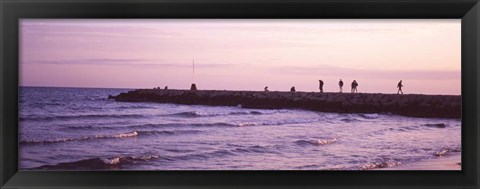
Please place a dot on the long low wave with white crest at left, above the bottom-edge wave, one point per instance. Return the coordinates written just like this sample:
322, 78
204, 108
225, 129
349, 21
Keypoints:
115, 136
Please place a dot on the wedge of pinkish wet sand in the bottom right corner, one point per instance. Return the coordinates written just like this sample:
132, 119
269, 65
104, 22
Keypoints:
451, 162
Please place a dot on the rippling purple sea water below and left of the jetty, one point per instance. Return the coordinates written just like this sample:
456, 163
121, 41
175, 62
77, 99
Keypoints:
80, 129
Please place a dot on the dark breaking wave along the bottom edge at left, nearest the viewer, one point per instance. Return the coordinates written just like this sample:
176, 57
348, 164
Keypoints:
97, 163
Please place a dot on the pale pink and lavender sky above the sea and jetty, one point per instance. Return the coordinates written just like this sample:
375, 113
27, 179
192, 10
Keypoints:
242, 54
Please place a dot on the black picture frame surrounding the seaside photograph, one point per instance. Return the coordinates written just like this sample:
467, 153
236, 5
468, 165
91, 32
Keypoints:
13, 10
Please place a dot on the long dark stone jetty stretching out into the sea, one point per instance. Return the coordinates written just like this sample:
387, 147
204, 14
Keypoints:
412, 105
